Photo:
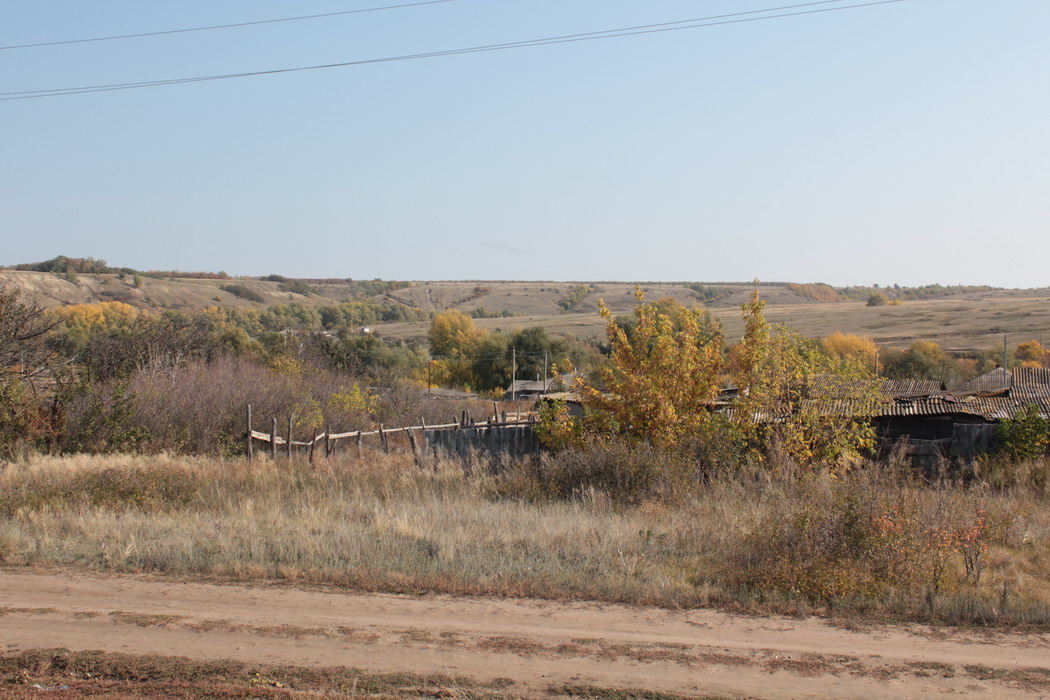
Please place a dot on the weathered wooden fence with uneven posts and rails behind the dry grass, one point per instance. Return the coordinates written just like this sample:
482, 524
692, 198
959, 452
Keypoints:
505, 434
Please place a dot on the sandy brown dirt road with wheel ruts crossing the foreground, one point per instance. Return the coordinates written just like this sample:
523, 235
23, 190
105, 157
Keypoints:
538, 645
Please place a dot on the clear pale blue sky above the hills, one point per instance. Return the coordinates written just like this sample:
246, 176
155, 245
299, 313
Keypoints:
904, 143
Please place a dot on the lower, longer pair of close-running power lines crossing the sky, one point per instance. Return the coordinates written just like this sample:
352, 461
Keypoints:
717, 20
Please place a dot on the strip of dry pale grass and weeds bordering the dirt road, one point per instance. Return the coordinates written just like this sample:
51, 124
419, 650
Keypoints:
874, 543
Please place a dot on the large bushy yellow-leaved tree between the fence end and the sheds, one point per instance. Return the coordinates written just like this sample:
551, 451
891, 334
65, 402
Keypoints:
661, 381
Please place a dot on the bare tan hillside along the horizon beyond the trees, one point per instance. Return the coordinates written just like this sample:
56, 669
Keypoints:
958, 317
